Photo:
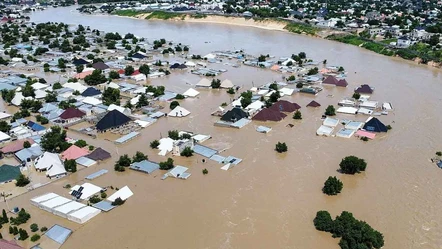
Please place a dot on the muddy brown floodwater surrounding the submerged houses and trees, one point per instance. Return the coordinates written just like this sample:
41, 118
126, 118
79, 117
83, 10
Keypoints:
269, 200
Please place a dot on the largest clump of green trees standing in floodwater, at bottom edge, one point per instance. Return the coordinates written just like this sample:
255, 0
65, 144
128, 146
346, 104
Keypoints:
354, 234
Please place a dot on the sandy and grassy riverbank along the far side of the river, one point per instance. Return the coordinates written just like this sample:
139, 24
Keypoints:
419, 56
